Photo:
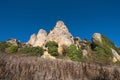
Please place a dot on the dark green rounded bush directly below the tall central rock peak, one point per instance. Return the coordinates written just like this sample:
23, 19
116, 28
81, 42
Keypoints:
52, 48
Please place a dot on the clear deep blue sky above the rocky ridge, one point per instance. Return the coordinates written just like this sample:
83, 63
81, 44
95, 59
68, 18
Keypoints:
20, 18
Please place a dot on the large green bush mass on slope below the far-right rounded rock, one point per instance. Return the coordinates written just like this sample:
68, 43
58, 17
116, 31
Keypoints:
103, 50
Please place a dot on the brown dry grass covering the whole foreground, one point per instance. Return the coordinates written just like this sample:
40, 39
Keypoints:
21, 67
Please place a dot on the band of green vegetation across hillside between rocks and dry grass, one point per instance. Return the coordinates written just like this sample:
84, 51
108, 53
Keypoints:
98, 52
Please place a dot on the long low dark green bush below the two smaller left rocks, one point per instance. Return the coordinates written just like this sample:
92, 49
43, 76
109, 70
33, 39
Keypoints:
32, 50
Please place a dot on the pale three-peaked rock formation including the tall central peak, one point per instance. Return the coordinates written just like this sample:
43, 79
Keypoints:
59, 34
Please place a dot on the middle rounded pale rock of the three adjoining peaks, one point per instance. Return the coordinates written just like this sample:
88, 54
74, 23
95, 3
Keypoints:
41, 38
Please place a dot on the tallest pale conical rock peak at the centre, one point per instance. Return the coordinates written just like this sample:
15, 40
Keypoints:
61, 35
